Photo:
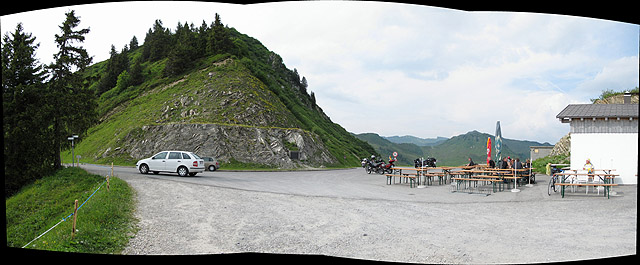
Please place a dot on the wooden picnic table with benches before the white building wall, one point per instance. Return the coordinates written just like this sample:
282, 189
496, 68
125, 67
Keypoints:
606, 179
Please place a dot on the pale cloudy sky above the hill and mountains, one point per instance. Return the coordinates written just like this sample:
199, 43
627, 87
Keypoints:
399, 69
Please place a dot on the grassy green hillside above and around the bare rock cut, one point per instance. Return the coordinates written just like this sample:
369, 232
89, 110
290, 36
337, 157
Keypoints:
248, 87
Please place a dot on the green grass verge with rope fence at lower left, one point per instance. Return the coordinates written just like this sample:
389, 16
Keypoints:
105, 223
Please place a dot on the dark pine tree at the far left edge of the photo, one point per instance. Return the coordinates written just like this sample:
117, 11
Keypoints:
27, 136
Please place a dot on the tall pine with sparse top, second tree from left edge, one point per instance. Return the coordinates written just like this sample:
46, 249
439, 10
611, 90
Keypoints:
72, 104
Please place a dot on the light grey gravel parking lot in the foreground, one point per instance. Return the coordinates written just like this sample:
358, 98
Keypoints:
350, 214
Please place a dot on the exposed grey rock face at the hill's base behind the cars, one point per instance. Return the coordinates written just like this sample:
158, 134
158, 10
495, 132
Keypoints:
225, 142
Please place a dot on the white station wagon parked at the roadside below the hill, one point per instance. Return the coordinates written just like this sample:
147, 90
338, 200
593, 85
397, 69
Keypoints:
181, 162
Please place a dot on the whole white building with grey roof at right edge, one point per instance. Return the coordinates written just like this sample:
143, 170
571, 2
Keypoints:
607, 134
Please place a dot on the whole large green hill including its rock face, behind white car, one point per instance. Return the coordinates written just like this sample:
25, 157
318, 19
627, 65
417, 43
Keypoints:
242, 105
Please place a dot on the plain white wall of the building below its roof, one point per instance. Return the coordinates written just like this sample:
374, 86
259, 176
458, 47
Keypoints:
617, 151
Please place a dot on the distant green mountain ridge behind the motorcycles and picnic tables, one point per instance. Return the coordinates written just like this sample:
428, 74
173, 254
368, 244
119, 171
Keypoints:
450, 152
